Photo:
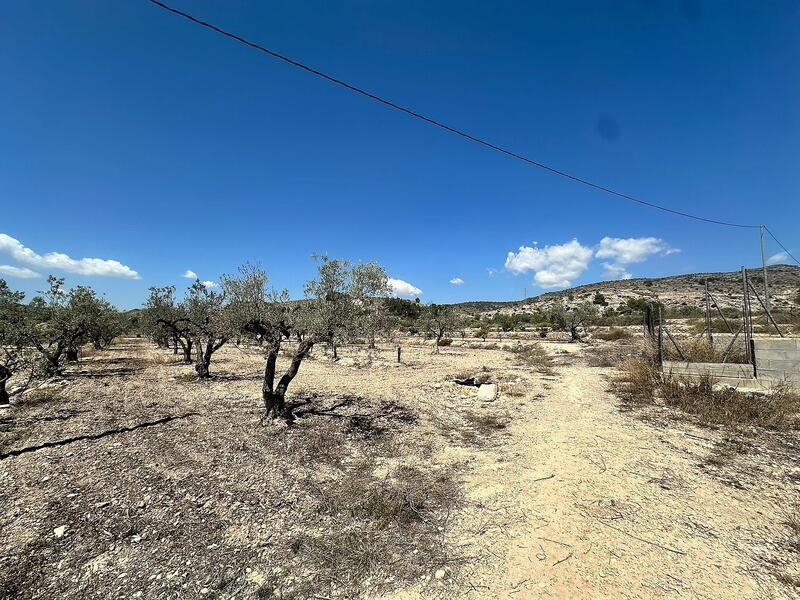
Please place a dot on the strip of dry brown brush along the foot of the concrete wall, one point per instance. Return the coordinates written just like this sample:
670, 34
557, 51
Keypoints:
710, 404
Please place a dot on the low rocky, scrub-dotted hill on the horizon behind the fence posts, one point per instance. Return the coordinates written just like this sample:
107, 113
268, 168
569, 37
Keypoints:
673, 291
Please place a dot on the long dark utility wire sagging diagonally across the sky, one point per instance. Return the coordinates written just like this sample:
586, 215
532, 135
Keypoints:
444, 126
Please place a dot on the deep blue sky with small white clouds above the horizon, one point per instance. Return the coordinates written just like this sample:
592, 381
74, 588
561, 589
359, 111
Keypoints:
129, 135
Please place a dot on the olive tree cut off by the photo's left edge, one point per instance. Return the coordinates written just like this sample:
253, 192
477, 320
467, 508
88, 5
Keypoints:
16, 357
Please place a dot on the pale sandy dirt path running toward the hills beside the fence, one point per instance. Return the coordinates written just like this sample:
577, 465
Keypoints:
627, 513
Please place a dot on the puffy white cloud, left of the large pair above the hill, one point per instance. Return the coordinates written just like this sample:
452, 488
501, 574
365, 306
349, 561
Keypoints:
555, 266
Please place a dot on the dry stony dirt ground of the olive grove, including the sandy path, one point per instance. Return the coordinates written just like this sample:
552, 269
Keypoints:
394, 482
